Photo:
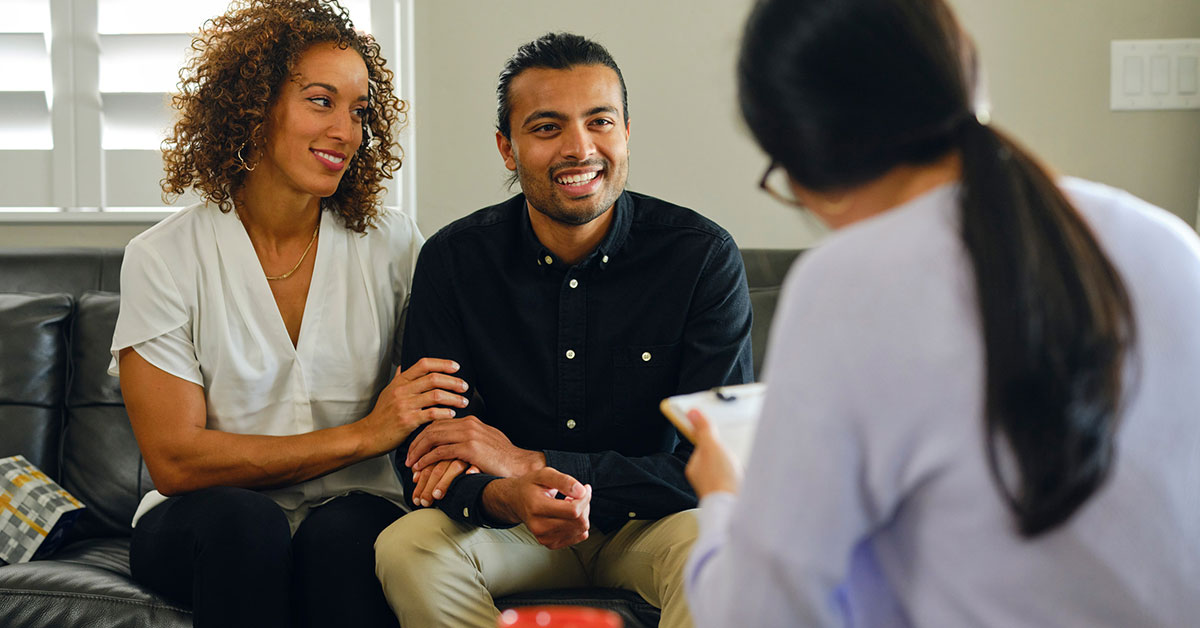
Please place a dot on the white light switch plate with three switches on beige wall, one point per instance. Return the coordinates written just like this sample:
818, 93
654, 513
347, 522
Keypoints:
1156, 75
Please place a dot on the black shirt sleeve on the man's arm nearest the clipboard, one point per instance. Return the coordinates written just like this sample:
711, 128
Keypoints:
717, 351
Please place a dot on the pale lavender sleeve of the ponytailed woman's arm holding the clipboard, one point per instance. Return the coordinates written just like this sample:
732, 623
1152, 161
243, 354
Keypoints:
781, 553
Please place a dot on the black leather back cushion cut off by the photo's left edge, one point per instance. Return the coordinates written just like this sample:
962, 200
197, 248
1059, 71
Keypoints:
33, 376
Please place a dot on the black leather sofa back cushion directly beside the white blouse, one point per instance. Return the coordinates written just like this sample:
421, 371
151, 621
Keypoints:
101, 463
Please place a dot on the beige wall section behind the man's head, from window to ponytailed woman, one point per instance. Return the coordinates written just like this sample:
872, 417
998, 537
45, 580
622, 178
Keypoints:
687, 142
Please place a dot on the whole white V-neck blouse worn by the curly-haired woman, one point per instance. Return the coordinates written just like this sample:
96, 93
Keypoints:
196, 304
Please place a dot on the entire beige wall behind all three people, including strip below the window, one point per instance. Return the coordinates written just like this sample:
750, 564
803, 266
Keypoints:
1049, 73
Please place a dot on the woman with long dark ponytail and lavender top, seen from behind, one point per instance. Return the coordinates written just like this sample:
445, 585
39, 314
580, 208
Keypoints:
982, 387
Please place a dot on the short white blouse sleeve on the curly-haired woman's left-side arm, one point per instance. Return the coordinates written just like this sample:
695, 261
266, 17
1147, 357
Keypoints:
154, 319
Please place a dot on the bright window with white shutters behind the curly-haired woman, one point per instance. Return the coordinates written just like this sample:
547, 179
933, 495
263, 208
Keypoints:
86, 100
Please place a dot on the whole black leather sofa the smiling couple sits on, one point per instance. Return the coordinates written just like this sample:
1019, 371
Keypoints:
62, 411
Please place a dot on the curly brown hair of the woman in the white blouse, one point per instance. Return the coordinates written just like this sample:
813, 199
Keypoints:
227, 89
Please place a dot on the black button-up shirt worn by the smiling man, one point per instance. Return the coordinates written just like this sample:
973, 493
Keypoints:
574, 360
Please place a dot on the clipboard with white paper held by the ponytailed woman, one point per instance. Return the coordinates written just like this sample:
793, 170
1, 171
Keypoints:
733, 410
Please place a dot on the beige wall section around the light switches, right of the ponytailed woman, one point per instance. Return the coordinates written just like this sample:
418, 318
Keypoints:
1048, 64
